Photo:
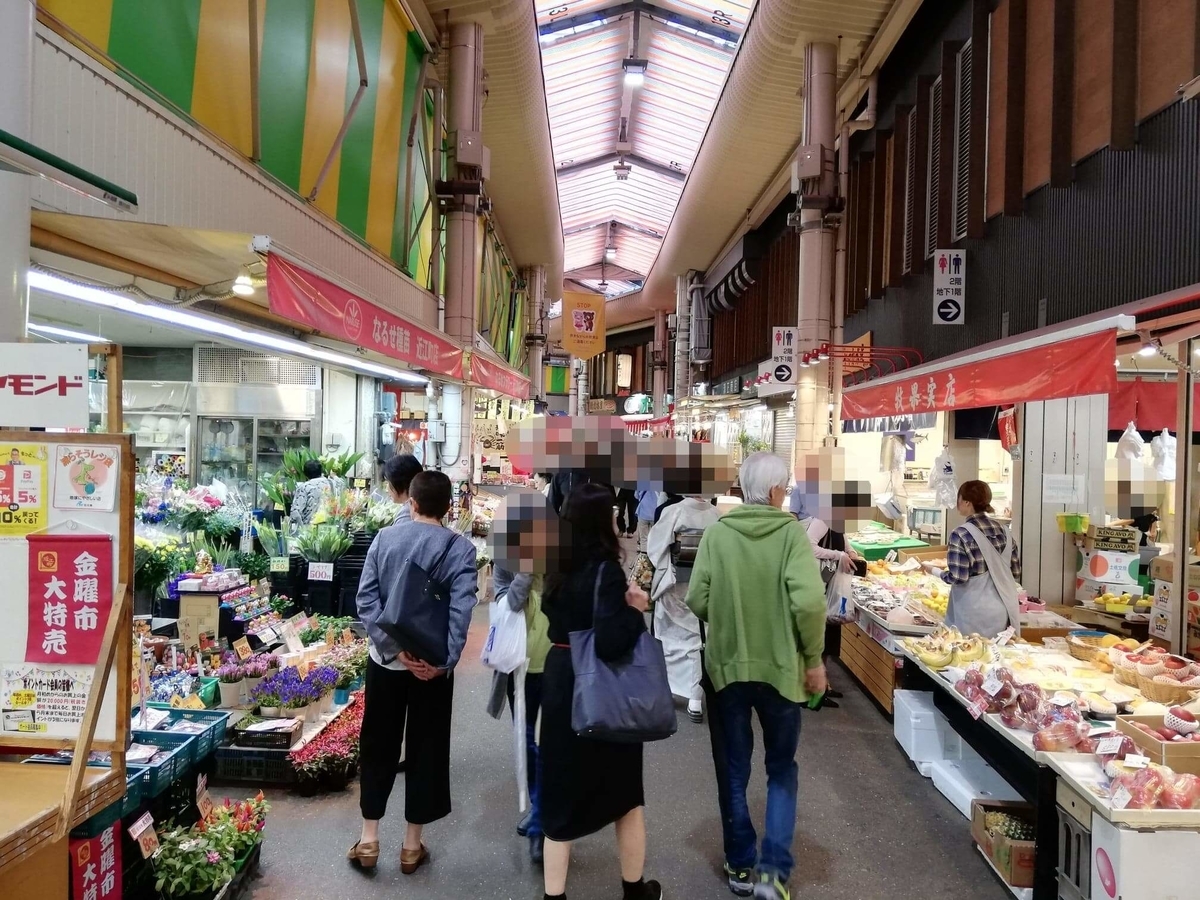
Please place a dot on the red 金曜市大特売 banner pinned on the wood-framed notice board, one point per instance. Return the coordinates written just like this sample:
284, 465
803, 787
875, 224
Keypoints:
70, 597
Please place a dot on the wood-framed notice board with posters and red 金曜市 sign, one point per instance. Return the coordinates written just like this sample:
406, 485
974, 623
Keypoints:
67, 549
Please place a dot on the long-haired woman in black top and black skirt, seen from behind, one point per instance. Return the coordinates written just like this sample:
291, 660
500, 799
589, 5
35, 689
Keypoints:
589, 785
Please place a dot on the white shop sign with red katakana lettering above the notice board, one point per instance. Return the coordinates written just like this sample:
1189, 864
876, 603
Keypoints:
44, 386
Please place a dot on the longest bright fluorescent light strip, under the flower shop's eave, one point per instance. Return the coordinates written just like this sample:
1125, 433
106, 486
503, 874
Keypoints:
220, 329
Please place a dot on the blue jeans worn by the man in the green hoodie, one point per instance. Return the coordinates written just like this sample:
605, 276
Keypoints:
781, 721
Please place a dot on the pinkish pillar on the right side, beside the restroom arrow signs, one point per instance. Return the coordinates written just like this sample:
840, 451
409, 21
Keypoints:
815, 307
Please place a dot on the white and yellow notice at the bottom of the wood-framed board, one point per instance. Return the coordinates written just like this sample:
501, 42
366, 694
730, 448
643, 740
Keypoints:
45, 700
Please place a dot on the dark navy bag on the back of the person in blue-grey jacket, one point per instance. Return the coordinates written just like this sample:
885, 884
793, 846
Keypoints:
417, 615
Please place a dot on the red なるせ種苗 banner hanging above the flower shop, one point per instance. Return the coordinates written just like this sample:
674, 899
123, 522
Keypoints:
298, 295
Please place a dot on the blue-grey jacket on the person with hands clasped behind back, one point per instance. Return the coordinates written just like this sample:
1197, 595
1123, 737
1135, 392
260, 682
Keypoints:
424, 545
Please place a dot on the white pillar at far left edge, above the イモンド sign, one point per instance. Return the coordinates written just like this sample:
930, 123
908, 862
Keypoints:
16, 106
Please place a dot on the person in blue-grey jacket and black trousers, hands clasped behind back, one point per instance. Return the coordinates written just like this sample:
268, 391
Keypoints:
407, 700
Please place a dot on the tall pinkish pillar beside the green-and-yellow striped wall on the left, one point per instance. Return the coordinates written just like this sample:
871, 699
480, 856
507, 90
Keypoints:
464, 115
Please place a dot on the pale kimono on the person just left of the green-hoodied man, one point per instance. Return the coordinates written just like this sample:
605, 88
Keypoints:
675, 625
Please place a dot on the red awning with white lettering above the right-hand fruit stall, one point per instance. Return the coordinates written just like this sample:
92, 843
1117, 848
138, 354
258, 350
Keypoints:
1075, 368
